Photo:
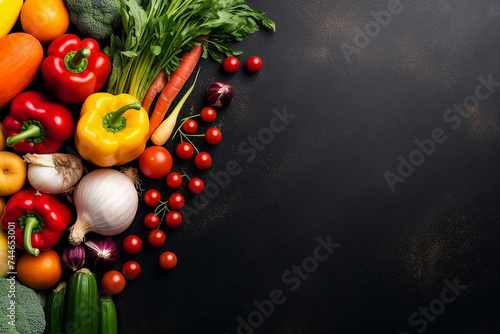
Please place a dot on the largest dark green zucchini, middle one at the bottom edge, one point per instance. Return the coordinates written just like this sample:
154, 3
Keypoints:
82, 304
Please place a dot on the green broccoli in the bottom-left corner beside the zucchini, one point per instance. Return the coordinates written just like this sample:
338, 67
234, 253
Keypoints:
28, 312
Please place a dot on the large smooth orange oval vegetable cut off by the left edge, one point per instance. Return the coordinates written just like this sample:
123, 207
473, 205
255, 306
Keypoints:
20, 58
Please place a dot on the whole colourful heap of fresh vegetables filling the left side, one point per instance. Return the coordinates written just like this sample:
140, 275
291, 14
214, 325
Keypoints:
63, 214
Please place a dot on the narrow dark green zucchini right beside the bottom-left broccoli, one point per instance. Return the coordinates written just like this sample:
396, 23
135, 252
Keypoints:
55, 310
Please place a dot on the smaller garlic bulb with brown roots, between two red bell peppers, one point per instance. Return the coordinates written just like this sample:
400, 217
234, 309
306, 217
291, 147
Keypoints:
53, 173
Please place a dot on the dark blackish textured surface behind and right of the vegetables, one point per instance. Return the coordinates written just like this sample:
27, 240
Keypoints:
323, 175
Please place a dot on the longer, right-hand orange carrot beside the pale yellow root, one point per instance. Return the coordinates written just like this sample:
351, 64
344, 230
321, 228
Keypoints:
174, 85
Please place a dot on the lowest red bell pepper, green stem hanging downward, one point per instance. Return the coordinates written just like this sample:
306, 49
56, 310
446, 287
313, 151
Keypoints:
39, 220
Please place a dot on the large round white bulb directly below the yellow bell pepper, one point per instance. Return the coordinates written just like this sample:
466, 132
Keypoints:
106, 202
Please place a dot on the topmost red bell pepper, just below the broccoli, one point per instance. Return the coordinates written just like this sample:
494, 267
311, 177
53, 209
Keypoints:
74, 68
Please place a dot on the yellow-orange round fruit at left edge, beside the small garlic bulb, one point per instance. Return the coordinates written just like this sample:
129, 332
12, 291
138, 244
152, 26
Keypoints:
12, 173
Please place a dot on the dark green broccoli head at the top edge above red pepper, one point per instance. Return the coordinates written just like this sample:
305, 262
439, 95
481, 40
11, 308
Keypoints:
95, 18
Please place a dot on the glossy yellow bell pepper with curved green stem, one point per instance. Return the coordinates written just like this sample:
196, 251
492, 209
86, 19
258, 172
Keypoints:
112, 130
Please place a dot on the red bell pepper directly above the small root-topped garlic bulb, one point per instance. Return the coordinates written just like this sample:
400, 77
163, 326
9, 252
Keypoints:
37, 124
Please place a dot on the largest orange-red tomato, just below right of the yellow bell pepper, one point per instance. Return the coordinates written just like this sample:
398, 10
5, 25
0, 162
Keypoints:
155, 162
